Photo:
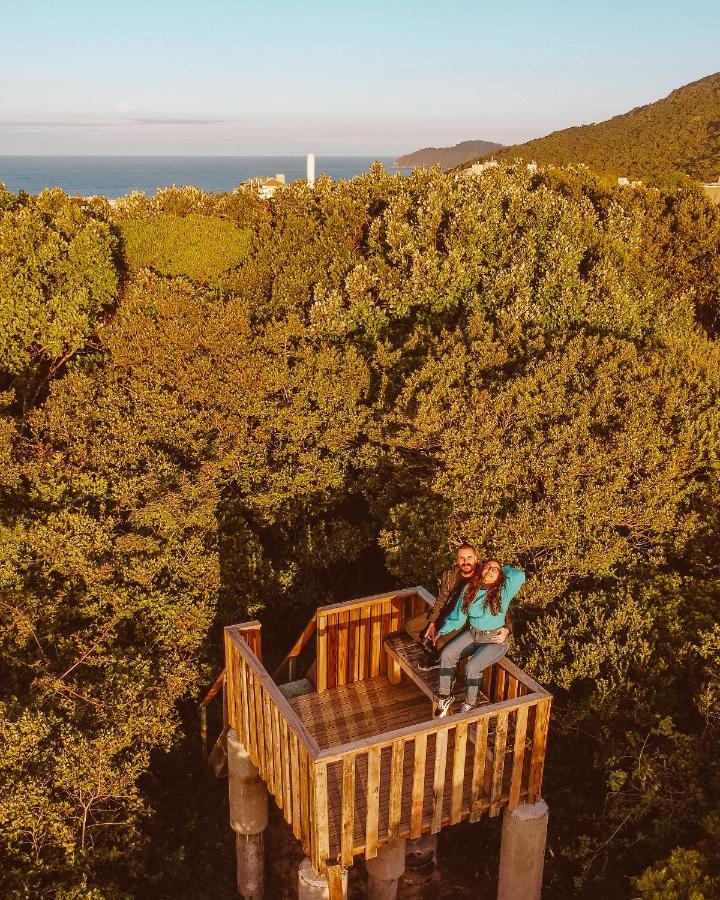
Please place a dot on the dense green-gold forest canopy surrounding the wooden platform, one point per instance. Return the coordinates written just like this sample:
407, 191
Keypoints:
213, 406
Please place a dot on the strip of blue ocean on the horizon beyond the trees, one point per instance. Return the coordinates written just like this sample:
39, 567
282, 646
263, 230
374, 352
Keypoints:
115, 176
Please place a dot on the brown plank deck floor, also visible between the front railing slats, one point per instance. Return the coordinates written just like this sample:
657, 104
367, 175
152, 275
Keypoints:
367, 709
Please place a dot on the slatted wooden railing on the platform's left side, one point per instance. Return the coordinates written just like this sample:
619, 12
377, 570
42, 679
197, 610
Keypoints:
276, 740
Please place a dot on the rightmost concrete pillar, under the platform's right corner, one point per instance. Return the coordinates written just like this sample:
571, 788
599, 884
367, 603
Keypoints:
522, 852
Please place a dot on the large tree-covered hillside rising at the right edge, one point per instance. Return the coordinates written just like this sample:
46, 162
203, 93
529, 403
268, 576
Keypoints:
680, 133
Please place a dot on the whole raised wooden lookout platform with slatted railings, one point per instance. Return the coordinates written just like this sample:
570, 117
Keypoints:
360, 762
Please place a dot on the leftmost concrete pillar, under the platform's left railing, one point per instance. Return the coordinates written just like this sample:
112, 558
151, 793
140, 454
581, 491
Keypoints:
248, 819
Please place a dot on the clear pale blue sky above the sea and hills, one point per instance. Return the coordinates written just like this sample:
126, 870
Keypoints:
362, 78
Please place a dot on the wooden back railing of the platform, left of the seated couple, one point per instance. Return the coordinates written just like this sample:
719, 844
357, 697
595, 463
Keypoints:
350, 635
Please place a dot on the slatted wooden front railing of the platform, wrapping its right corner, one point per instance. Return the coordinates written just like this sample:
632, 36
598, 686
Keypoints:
424, 777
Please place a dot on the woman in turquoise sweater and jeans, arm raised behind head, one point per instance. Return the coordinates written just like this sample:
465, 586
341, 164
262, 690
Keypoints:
483, 603
